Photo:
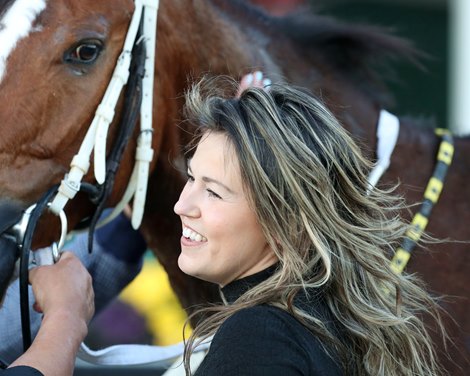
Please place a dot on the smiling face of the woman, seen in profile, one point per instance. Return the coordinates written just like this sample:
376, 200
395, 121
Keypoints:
222, 240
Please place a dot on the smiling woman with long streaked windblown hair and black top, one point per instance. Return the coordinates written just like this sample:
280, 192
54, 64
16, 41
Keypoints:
276, 212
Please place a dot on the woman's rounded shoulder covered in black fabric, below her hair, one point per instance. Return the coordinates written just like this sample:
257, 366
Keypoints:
263, 333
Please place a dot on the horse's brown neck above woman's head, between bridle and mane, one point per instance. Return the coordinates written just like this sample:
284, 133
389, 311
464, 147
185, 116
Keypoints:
229, 37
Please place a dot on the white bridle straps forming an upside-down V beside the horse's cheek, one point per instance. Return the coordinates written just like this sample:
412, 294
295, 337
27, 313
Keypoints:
95, 139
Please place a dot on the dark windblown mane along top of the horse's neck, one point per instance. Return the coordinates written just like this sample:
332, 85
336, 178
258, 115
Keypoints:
359, 54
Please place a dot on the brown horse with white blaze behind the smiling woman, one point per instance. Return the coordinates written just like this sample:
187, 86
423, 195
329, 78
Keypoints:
54, 74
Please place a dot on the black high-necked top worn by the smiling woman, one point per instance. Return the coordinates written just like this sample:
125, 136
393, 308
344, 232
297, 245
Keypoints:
265, 340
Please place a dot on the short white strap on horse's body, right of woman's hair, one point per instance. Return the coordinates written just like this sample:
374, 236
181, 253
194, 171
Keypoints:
388, 128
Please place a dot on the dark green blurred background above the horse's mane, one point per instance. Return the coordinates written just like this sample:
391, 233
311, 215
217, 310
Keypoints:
417, 92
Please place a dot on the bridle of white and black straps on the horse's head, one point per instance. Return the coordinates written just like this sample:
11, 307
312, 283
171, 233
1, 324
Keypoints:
135, 70
